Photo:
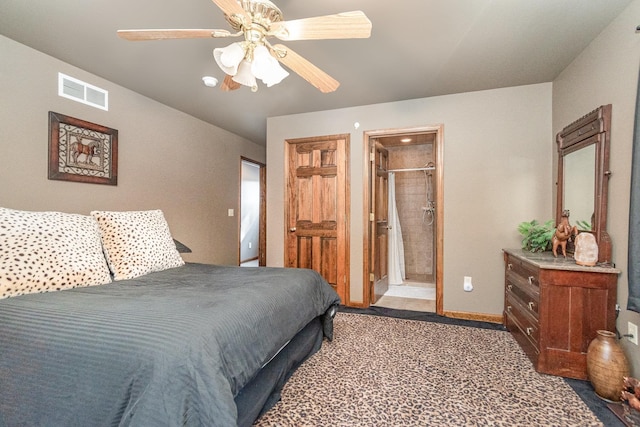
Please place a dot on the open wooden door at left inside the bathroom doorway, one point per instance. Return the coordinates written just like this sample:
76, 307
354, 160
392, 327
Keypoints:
379, 217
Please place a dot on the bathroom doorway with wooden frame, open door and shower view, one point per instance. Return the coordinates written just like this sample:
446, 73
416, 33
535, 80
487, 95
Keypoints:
403, 266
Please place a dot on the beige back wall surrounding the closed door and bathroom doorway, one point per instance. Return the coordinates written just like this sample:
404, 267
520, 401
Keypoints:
497, 163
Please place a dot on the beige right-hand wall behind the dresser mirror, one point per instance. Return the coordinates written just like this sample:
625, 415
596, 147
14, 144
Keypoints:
607, 73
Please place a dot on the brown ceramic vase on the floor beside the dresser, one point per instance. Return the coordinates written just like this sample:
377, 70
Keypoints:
607, 365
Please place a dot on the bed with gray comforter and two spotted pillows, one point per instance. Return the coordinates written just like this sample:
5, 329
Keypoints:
180, 344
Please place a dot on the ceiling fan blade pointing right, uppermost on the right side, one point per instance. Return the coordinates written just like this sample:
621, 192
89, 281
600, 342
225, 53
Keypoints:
347, 25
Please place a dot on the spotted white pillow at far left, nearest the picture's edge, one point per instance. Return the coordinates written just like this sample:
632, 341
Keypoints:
49, 251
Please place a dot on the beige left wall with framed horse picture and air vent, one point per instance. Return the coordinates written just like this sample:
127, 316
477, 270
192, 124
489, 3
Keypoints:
167, 159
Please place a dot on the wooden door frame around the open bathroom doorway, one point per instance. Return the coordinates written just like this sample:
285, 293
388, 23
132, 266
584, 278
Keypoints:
438, 130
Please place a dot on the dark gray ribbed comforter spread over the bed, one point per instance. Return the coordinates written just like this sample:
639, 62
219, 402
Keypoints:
166, 349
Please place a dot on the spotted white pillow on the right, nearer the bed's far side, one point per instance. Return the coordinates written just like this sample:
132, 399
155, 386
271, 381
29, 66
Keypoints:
136, 243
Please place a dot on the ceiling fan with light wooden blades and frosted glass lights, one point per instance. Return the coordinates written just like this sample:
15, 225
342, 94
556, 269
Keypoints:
256, 58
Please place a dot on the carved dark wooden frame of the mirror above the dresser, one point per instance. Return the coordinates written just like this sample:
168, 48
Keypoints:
593, 128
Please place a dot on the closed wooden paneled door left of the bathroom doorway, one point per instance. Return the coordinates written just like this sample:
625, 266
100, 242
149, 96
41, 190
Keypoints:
317, 209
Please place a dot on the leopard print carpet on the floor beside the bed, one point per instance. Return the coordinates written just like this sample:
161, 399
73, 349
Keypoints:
382, 371
